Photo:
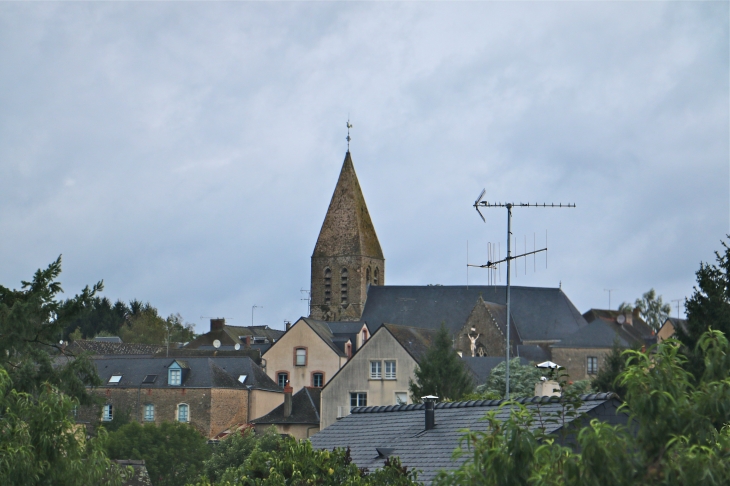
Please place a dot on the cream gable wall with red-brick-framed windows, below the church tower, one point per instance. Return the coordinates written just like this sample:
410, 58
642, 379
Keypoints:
320, 357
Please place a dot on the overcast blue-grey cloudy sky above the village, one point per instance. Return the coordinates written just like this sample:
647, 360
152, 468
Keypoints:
186, 152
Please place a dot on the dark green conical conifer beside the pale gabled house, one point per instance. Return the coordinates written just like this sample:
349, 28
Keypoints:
441, 372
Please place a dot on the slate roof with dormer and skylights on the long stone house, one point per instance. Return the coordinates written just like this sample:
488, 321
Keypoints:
208, 372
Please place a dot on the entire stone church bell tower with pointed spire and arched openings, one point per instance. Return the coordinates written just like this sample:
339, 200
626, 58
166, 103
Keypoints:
347, 256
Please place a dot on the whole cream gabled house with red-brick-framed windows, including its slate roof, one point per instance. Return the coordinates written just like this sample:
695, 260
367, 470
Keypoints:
311, 351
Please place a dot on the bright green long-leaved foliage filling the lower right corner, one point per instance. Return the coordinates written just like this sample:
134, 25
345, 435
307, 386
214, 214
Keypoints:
678, 434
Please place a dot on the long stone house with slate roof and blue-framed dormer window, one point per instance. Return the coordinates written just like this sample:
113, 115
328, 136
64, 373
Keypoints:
209, 393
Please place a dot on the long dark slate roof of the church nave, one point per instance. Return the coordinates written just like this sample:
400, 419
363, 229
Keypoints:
541, 314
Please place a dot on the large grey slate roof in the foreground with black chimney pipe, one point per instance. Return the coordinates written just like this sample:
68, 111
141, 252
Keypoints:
401, 428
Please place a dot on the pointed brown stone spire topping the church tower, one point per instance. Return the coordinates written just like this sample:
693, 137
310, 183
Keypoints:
347, 229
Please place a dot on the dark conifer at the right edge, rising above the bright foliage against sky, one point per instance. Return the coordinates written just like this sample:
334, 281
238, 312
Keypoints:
709, 307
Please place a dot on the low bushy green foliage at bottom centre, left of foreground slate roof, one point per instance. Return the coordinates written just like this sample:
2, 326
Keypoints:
295, 462
